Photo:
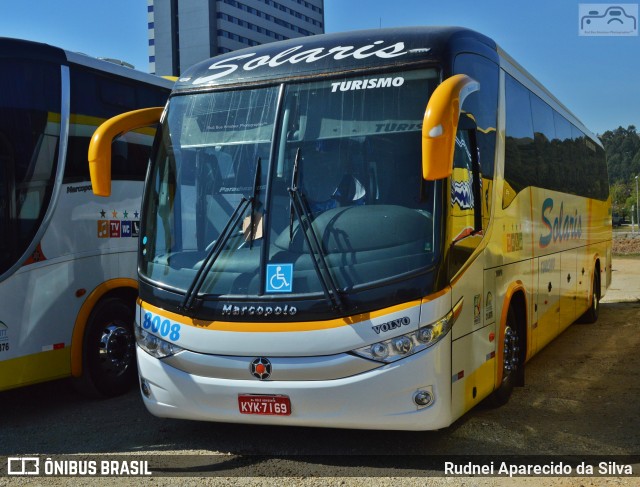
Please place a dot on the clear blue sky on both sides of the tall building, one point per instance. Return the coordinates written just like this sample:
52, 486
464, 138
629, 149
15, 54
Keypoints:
597, 78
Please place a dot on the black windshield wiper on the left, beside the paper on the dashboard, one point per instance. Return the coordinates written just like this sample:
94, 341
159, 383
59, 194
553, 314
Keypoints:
216, 249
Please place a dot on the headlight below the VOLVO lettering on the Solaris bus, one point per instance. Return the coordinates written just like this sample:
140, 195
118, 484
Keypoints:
411, 343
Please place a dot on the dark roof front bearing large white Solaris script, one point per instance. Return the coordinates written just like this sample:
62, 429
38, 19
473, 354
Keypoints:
330, 53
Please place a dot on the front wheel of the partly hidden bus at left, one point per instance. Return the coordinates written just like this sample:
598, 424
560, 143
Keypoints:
108, 353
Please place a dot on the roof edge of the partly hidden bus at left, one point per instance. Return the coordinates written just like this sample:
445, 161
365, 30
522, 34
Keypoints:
24, 49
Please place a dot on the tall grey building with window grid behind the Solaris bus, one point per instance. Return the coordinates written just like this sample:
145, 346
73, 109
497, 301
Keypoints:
184, 32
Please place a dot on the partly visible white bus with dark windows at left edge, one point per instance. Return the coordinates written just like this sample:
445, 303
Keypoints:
68, 280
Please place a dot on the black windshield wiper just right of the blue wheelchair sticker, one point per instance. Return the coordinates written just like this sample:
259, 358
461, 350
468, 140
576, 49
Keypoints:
298, 205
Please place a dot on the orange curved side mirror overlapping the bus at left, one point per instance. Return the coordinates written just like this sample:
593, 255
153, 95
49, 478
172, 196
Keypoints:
100, 146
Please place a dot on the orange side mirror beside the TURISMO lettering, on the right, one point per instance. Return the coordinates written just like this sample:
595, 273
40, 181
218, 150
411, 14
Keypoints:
440, 125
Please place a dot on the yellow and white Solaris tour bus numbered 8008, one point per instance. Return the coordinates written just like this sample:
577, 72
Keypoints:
374, 229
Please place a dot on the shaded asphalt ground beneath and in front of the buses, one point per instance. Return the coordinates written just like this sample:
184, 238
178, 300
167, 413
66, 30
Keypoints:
581, 399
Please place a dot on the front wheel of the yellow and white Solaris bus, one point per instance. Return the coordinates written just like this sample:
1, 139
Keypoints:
511, 363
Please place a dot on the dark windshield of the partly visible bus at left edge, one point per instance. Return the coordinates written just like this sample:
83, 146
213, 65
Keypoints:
29, 134
